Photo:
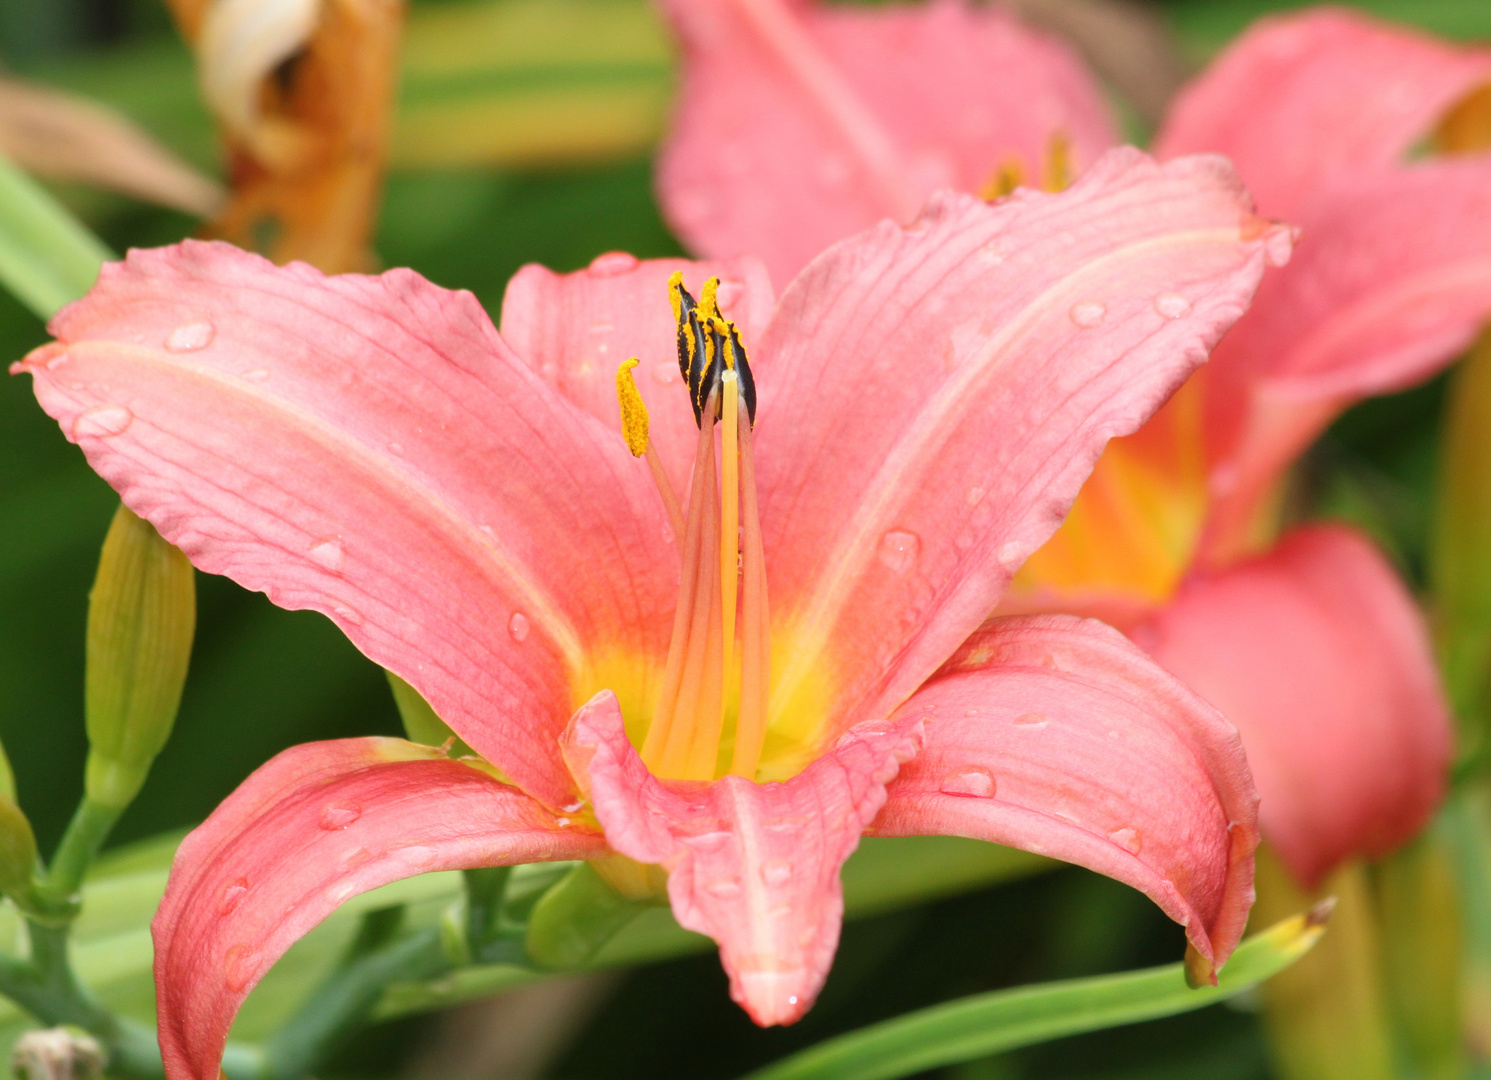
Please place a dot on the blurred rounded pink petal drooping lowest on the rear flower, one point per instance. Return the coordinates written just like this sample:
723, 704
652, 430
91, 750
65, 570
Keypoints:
1322, 660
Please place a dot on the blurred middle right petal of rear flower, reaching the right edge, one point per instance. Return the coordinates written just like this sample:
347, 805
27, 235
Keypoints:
1390, 283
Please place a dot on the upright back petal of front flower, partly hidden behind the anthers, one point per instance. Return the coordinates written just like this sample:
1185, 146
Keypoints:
578, 329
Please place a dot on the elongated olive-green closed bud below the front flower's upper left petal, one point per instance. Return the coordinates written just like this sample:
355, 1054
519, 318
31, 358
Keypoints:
141, 621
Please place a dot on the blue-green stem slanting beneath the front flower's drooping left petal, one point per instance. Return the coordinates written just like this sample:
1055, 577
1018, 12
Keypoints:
345, 1000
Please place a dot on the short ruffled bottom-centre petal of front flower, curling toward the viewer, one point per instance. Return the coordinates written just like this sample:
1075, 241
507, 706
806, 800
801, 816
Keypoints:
755, 866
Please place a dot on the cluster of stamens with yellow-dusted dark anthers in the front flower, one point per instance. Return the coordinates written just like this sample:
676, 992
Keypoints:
710, 717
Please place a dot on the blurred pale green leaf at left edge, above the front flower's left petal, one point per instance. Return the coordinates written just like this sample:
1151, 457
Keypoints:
48, 259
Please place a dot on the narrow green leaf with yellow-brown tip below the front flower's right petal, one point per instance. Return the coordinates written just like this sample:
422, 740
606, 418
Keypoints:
988, 1024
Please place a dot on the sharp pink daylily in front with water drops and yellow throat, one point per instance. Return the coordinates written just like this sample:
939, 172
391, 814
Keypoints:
461, 503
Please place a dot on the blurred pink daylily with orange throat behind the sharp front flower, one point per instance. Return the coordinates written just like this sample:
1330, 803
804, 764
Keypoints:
1347, 727
